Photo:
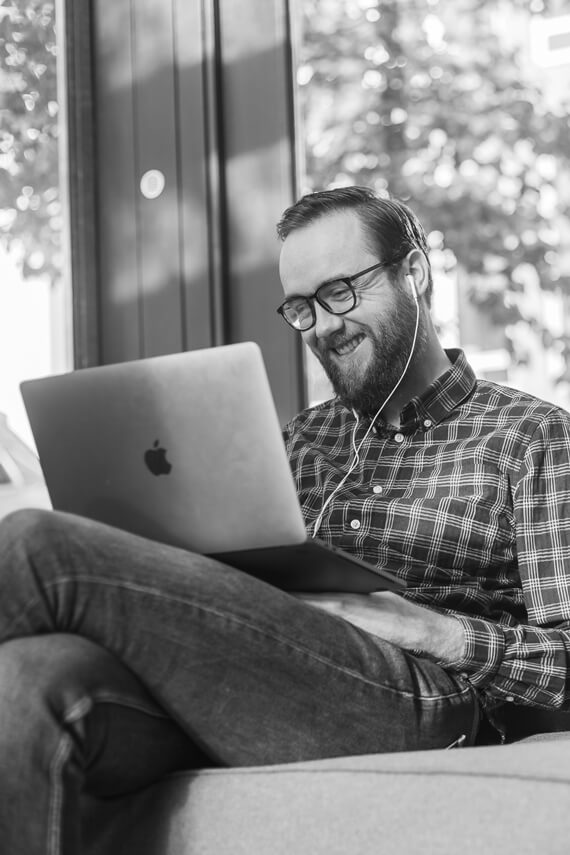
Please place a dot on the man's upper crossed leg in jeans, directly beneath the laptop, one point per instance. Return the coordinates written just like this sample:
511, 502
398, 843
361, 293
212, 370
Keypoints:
250, 673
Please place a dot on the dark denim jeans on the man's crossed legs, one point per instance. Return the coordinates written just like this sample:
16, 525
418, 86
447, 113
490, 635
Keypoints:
226, 669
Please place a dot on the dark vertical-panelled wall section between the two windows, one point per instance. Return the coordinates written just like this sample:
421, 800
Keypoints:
192, 164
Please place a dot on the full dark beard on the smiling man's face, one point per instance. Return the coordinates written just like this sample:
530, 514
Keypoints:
392, 340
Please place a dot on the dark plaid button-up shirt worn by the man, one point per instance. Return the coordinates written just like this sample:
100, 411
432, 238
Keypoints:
469, 502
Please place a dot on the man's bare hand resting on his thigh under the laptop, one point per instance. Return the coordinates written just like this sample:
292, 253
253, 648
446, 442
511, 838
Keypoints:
391, 617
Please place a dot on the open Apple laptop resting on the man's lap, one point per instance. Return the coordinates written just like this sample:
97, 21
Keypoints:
187, 449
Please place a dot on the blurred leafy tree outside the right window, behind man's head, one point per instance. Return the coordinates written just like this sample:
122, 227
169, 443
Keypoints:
433, 101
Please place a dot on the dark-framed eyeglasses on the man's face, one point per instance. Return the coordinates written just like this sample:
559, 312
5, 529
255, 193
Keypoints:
338, 297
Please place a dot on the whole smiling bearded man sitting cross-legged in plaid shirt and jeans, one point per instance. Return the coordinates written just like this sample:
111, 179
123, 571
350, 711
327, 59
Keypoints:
460, 486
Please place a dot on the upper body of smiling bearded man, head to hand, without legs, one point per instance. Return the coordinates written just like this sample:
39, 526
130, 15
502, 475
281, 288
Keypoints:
462, 486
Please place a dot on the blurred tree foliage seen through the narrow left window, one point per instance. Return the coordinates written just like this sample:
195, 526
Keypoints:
30, 210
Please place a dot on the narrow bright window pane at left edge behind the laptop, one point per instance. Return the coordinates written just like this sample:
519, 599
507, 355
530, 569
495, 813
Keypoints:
35, 316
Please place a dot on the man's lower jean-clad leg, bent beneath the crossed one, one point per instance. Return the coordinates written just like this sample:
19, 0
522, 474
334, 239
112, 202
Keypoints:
73, 721
